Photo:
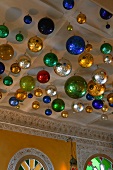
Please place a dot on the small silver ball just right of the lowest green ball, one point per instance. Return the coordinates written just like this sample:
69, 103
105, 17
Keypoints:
77, 106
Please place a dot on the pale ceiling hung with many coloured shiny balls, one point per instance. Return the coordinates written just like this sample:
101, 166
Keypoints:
93, 31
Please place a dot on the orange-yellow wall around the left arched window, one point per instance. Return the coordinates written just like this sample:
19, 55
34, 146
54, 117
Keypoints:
11, 142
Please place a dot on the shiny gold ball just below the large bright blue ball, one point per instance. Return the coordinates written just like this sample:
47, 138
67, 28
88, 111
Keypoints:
85, 60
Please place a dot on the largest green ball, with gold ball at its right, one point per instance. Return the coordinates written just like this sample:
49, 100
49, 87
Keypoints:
76, 87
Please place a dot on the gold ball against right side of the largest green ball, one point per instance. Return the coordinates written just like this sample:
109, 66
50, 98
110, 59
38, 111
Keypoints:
95, 89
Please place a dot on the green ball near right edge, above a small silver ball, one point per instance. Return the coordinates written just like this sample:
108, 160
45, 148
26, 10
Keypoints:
106, 48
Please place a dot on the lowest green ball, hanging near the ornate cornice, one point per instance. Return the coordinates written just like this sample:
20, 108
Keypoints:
58, 105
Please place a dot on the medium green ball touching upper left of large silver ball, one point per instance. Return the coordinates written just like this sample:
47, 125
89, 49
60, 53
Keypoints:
50, 59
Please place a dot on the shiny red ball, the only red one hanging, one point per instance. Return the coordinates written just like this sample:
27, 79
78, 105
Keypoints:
43, 76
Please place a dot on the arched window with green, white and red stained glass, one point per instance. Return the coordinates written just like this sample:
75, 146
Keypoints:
99, 162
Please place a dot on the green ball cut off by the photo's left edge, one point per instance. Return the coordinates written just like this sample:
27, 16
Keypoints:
4, 31
